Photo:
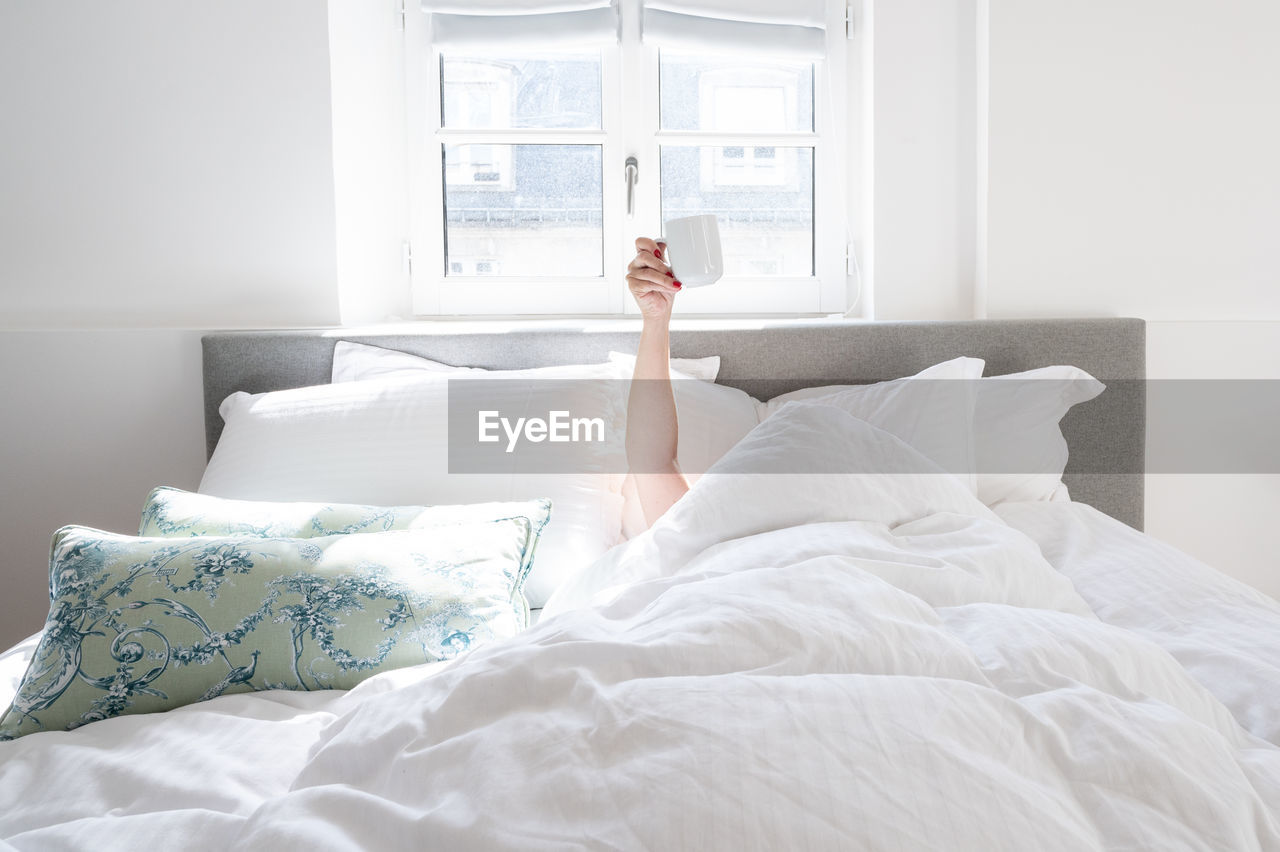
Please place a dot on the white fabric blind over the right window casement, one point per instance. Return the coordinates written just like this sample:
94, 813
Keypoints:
781, 28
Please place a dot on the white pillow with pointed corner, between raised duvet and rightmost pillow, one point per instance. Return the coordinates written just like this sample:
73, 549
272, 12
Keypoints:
931, 411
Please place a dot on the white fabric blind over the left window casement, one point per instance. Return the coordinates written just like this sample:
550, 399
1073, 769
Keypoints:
525, 25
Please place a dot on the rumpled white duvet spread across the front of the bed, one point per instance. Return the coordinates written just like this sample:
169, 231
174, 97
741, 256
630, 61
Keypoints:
788, 661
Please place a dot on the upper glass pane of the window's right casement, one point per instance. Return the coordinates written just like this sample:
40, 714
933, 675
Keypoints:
728, 95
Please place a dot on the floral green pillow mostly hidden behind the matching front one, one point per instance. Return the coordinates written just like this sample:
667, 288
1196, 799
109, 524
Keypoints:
172, 512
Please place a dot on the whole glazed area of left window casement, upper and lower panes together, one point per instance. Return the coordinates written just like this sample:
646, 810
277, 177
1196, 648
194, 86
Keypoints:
515, 208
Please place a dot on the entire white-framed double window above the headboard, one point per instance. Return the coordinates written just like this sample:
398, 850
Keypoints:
519, 143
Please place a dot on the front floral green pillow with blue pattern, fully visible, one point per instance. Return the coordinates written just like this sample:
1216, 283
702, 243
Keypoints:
143, 625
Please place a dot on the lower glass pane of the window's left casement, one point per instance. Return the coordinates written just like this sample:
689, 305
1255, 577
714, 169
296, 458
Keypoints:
523, 210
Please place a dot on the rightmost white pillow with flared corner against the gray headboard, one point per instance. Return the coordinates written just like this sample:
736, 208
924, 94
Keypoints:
1020, 446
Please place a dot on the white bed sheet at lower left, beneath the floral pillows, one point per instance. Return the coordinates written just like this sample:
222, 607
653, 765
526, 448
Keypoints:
181, 780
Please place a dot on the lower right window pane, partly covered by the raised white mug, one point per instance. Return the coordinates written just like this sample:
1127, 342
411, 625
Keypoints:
762, 196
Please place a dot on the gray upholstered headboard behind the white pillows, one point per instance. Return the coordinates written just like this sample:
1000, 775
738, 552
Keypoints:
1107, 436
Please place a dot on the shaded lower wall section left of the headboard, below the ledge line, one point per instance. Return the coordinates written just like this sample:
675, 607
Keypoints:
92, 422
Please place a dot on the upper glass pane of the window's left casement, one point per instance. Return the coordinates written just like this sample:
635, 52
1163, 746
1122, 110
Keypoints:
520, 91
